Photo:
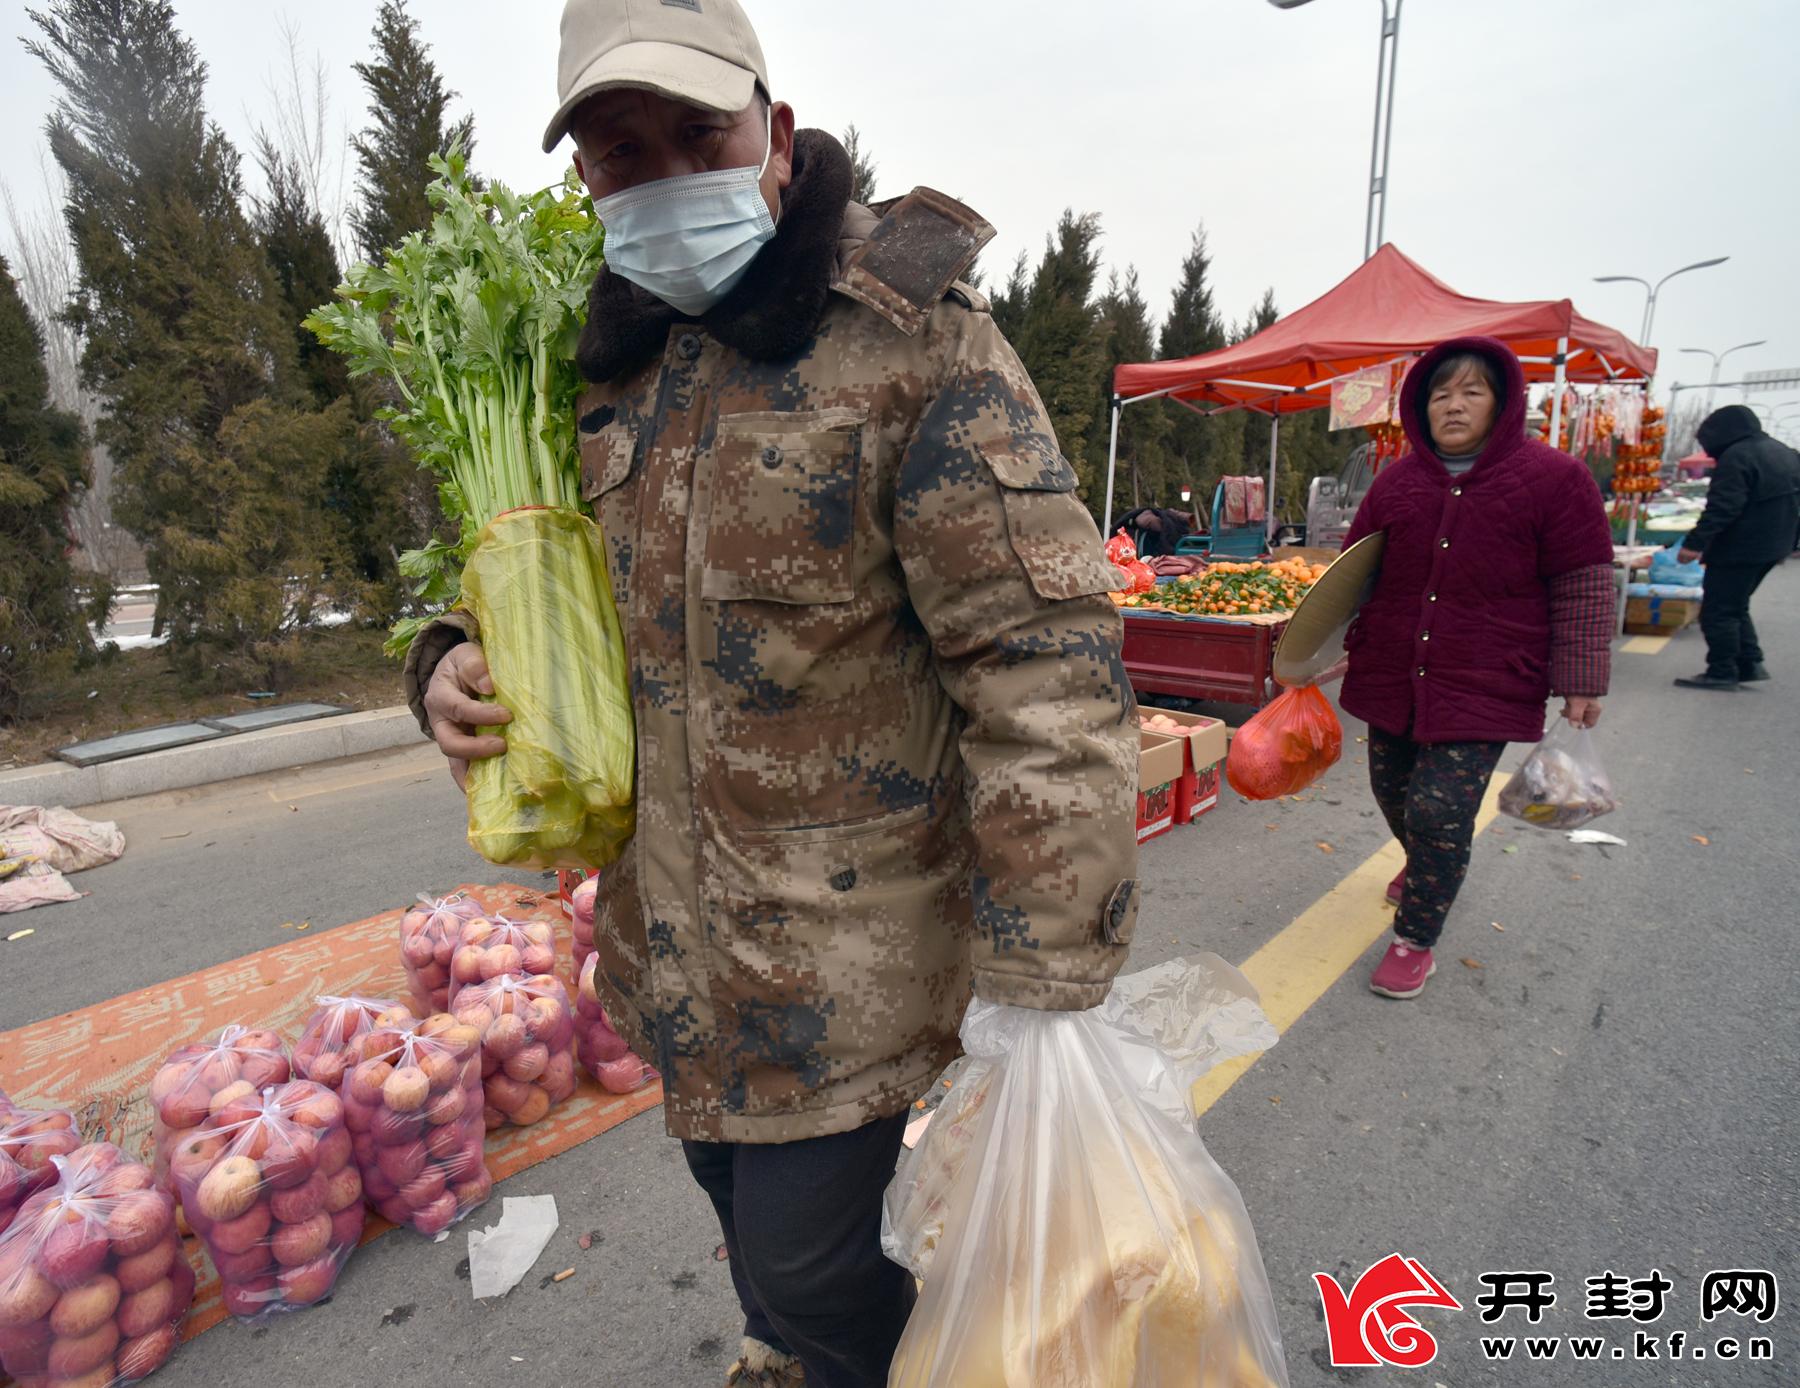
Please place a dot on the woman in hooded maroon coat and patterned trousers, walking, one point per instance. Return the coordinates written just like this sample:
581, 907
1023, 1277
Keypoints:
1497, 591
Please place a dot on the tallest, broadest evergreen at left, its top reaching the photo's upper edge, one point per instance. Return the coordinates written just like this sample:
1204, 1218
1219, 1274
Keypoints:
183, 323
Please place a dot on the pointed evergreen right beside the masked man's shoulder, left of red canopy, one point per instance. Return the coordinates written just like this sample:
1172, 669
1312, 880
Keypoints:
1063, 343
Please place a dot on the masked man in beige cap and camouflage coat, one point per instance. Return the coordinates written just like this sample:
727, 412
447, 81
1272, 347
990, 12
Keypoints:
886, 748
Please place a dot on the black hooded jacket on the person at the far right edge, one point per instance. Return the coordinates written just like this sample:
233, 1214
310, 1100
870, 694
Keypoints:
1754, 501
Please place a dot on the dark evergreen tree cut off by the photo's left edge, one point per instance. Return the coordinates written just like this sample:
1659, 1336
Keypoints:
44, 465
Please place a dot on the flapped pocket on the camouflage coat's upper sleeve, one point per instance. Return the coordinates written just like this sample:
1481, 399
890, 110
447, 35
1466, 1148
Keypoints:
1047, 525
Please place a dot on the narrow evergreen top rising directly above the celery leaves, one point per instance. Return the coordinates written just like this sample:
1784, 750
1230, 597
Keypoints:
409, 122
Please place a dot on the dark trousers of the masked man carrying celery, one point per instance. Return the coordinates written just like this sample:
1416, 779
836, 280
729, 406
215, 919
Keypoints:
804, 1225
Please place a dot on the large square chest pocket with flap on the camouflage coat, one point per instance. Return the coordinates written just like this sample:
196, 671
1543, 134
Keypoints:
786, 500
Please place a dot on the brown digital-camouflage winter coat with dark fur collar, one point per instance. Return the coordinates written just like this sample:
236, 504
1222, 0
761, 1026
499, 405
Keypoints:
885, 737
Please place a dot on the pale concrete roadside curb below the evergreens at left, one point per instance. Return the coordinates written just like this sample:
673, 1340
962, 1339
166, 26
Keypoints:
206, 762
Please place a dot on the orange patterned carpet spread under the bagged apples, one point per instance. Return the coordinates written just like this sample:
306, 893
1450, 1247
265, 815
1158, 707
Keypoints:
100, 1061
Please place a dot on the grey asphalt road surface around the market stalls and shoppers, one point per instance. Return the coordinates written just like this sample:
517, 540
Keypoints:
1606, 1085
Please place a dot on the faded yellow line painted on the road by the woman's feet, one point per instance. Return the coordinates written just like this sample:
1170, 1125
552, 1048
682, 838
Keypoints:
1326, 941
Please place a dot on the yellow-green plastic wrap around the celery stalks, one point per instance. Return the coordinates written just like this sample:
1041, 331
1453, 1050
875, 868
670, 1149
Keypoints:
564, 793
